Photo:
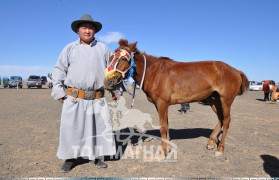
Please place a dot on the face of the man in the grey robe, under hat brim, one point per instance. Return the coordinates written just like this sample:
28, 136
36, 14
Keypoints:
86, 33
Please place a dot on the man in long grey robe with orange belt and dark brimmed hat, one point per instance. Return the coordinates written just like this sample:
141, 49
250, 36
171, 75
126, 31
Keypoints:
85, 129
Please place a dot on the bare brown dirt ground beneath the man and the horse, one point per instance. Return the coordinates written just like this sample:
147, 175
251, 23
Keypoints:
29, 134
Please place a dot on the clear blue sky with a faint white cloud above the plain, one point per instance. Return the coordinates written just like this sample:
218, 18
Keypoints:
242, 33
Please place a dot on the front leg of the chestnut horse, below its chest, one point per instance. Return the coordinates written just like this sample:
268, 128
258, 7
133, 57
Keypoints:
162, 109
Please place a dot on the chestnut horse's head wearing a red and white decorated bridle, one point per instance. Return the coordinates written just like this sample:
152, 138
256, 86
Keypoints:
120, 64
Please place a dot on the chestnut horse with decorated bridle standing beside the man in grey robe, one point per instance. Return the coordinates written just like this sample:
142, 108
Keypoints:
166, 82
